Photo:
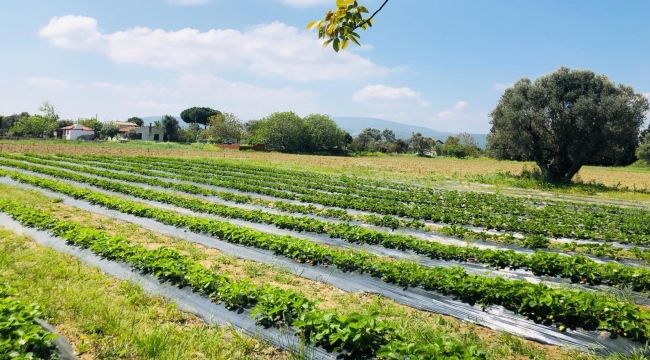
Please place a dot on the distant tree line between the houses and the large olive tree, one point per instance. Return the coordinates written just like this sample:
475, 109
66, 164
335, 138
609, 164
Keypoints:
315, 133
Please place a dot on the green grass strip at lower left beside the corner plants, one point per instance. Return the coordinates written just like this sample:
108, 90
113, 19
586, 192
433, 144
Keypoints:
107, 318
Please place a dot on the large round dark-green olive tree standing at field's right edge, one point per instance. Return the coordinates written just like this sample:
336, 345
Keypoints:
565, 120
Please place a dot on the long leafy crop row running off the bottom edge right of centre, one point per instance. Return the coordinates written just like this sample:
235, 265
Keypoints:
353, 334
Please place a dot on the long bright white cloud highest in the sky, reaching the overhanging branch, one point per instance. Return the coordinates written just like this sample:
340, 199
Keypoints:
274, 50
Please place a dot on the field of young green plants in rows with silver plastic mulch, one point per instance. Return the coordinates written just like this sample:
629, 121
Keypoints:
350, 266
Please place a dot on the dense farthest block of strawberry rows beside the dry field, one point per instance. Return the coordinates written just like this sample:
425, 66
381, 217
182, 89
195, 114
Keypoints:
491, 211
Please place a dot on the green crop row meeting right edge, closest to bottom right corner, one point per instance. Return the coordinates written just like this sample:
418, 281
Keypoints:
539, 302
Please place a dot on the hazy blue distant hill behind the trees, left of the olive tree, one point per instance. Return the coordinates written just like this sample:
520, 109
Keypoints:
354, 125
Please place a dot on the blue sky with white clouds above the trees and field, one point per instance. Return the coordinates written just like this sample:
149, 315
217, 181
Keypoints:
440, 64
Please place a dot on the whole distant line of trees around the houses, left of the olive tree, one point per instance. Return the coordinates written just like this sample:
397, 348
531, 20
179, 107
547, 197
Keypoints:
280, 131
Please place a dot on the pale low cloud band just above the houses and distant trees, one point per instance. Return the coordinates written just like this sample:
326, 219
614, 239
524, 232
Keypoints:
115, 101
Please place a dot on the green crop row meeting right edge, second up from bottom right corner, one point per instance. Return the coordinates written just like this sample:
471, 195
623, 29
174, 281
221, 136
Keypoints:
577, 268
